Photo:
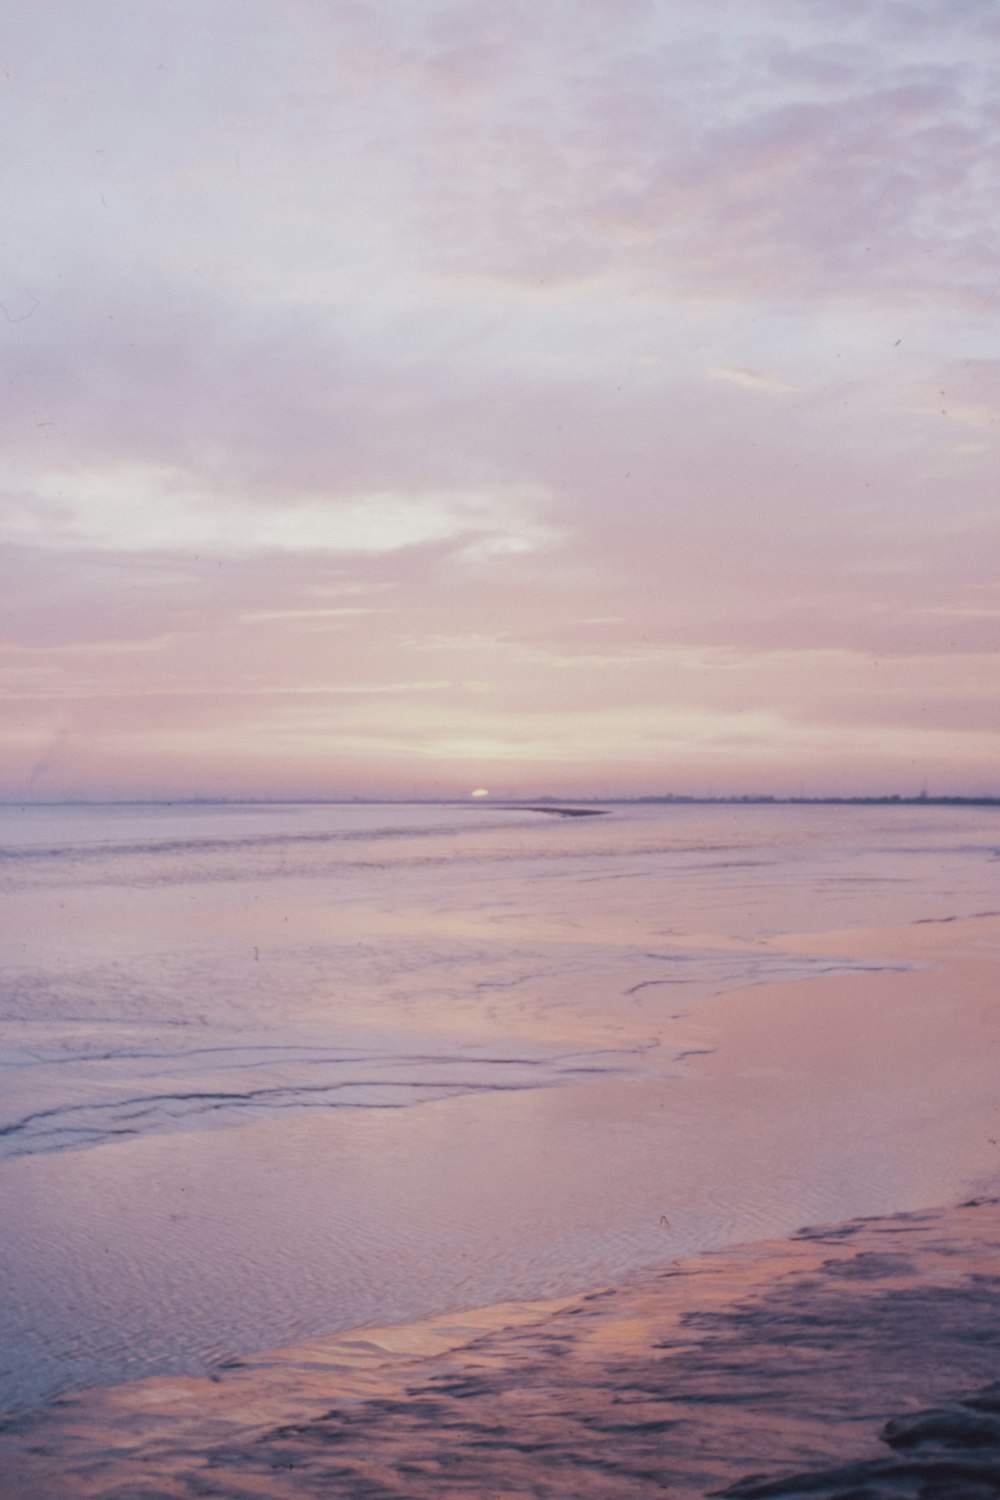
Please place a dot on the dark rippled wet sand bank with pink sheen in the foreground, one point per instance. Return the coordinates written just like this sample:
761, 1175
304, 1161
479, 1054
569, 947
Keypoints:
750, 1372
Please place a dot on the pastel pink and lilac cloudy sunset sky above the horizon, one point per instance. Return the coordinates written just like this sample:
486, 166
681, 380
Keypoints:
545, 397
